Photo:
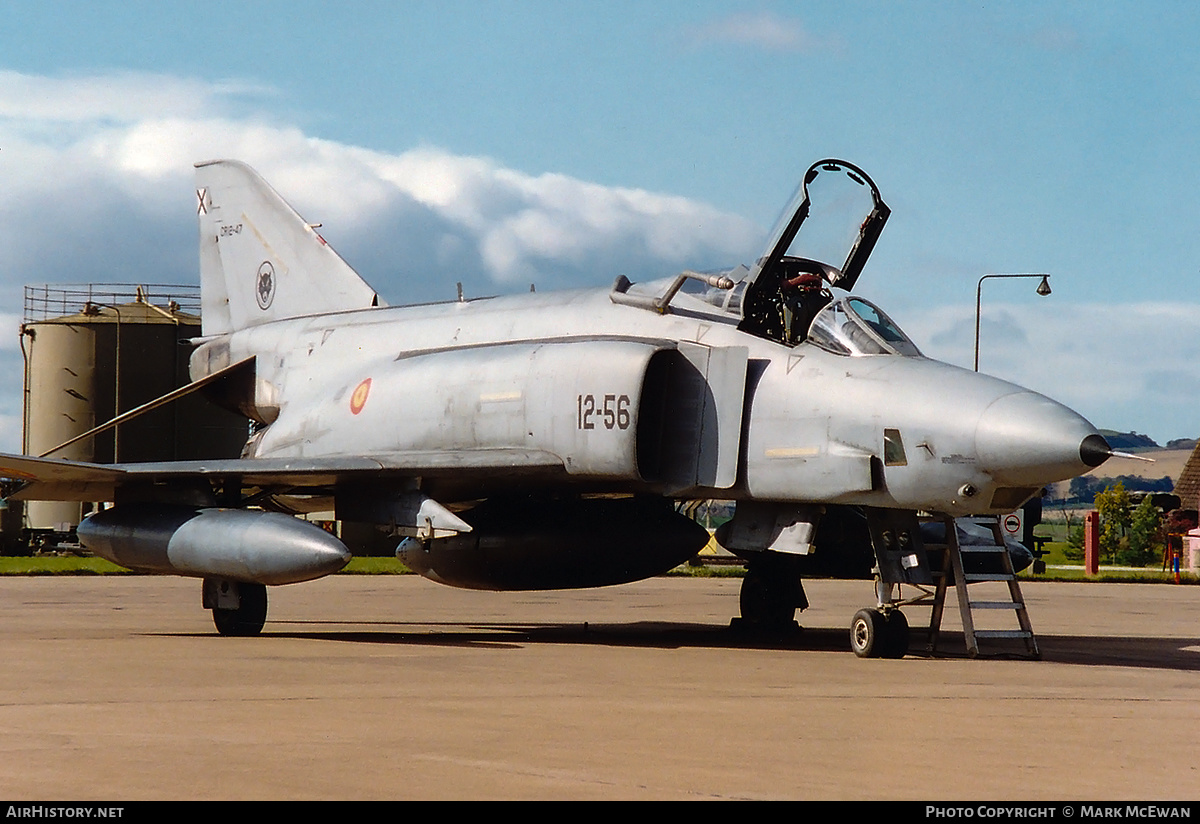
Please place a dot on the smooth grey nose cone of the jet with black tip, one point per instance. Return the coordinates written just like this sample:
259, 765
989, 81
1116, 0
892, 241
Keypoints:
1028, 440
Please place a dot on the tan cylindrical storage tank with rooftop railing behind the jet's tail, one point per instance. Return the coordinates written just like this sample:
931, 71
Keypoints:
94, 352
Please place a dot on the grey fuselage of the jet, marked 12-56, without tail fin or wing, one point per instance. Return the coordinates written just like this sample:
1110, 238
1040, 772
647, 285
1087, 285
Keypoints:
777, 423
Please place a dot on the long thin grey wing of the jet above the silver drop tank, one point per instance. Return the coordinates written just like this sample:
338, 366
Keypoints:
50, 479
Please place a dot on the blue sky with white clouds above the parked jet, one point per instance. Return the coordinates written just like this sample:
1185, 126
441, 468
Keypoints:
507, 143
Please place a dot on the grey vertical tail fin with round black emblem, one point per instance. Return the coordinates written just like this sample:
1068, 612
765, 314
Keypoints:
260, 261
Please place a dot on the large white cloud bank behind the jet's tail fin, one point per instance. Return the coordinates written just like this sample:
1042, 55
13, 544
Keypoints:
97, 185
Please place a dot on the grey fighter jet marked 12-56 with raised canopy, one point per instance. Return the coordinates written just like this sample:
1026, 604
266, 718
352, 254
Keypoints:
545, 441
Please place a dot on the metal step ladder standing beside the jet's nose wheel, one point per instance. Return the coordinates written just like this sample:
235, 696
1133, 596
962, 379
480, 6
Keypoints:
953, 572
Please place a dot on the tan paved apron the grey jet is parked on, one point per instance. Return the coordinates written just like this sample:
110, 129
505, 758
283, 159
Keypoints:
393, 688
